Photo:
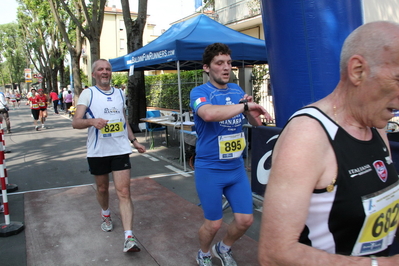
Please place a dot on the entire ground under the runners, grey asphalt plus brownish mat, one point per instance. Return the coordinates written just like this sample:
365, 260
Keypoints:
57, 204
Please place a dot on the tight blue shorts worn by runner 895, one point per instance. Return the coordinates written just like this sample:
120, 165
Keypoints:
211, 184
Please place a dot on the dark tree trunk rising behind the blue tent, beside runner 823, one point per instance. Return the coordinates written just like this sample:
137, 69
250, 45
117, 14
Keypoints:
136, 86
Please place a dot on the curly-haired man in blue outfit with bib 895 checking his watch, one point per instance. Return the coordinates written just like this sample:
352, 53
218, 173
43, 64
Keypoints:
219, 167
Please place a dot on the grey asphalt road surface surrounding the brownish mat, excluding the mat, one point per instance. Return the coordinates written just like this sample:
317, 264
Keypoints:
55, 158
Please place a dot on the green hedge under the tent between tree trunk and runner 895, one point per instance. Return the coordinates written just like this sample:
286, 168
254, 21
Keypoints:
163, 90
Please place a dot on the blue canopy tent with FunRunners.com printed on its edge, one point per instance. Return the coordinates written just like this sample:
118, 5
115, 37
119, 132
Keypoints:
181, 48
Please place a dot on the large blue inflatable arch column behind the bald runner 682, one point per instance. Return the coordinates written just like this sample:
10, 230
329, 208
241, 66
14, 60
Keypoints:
304, 40
